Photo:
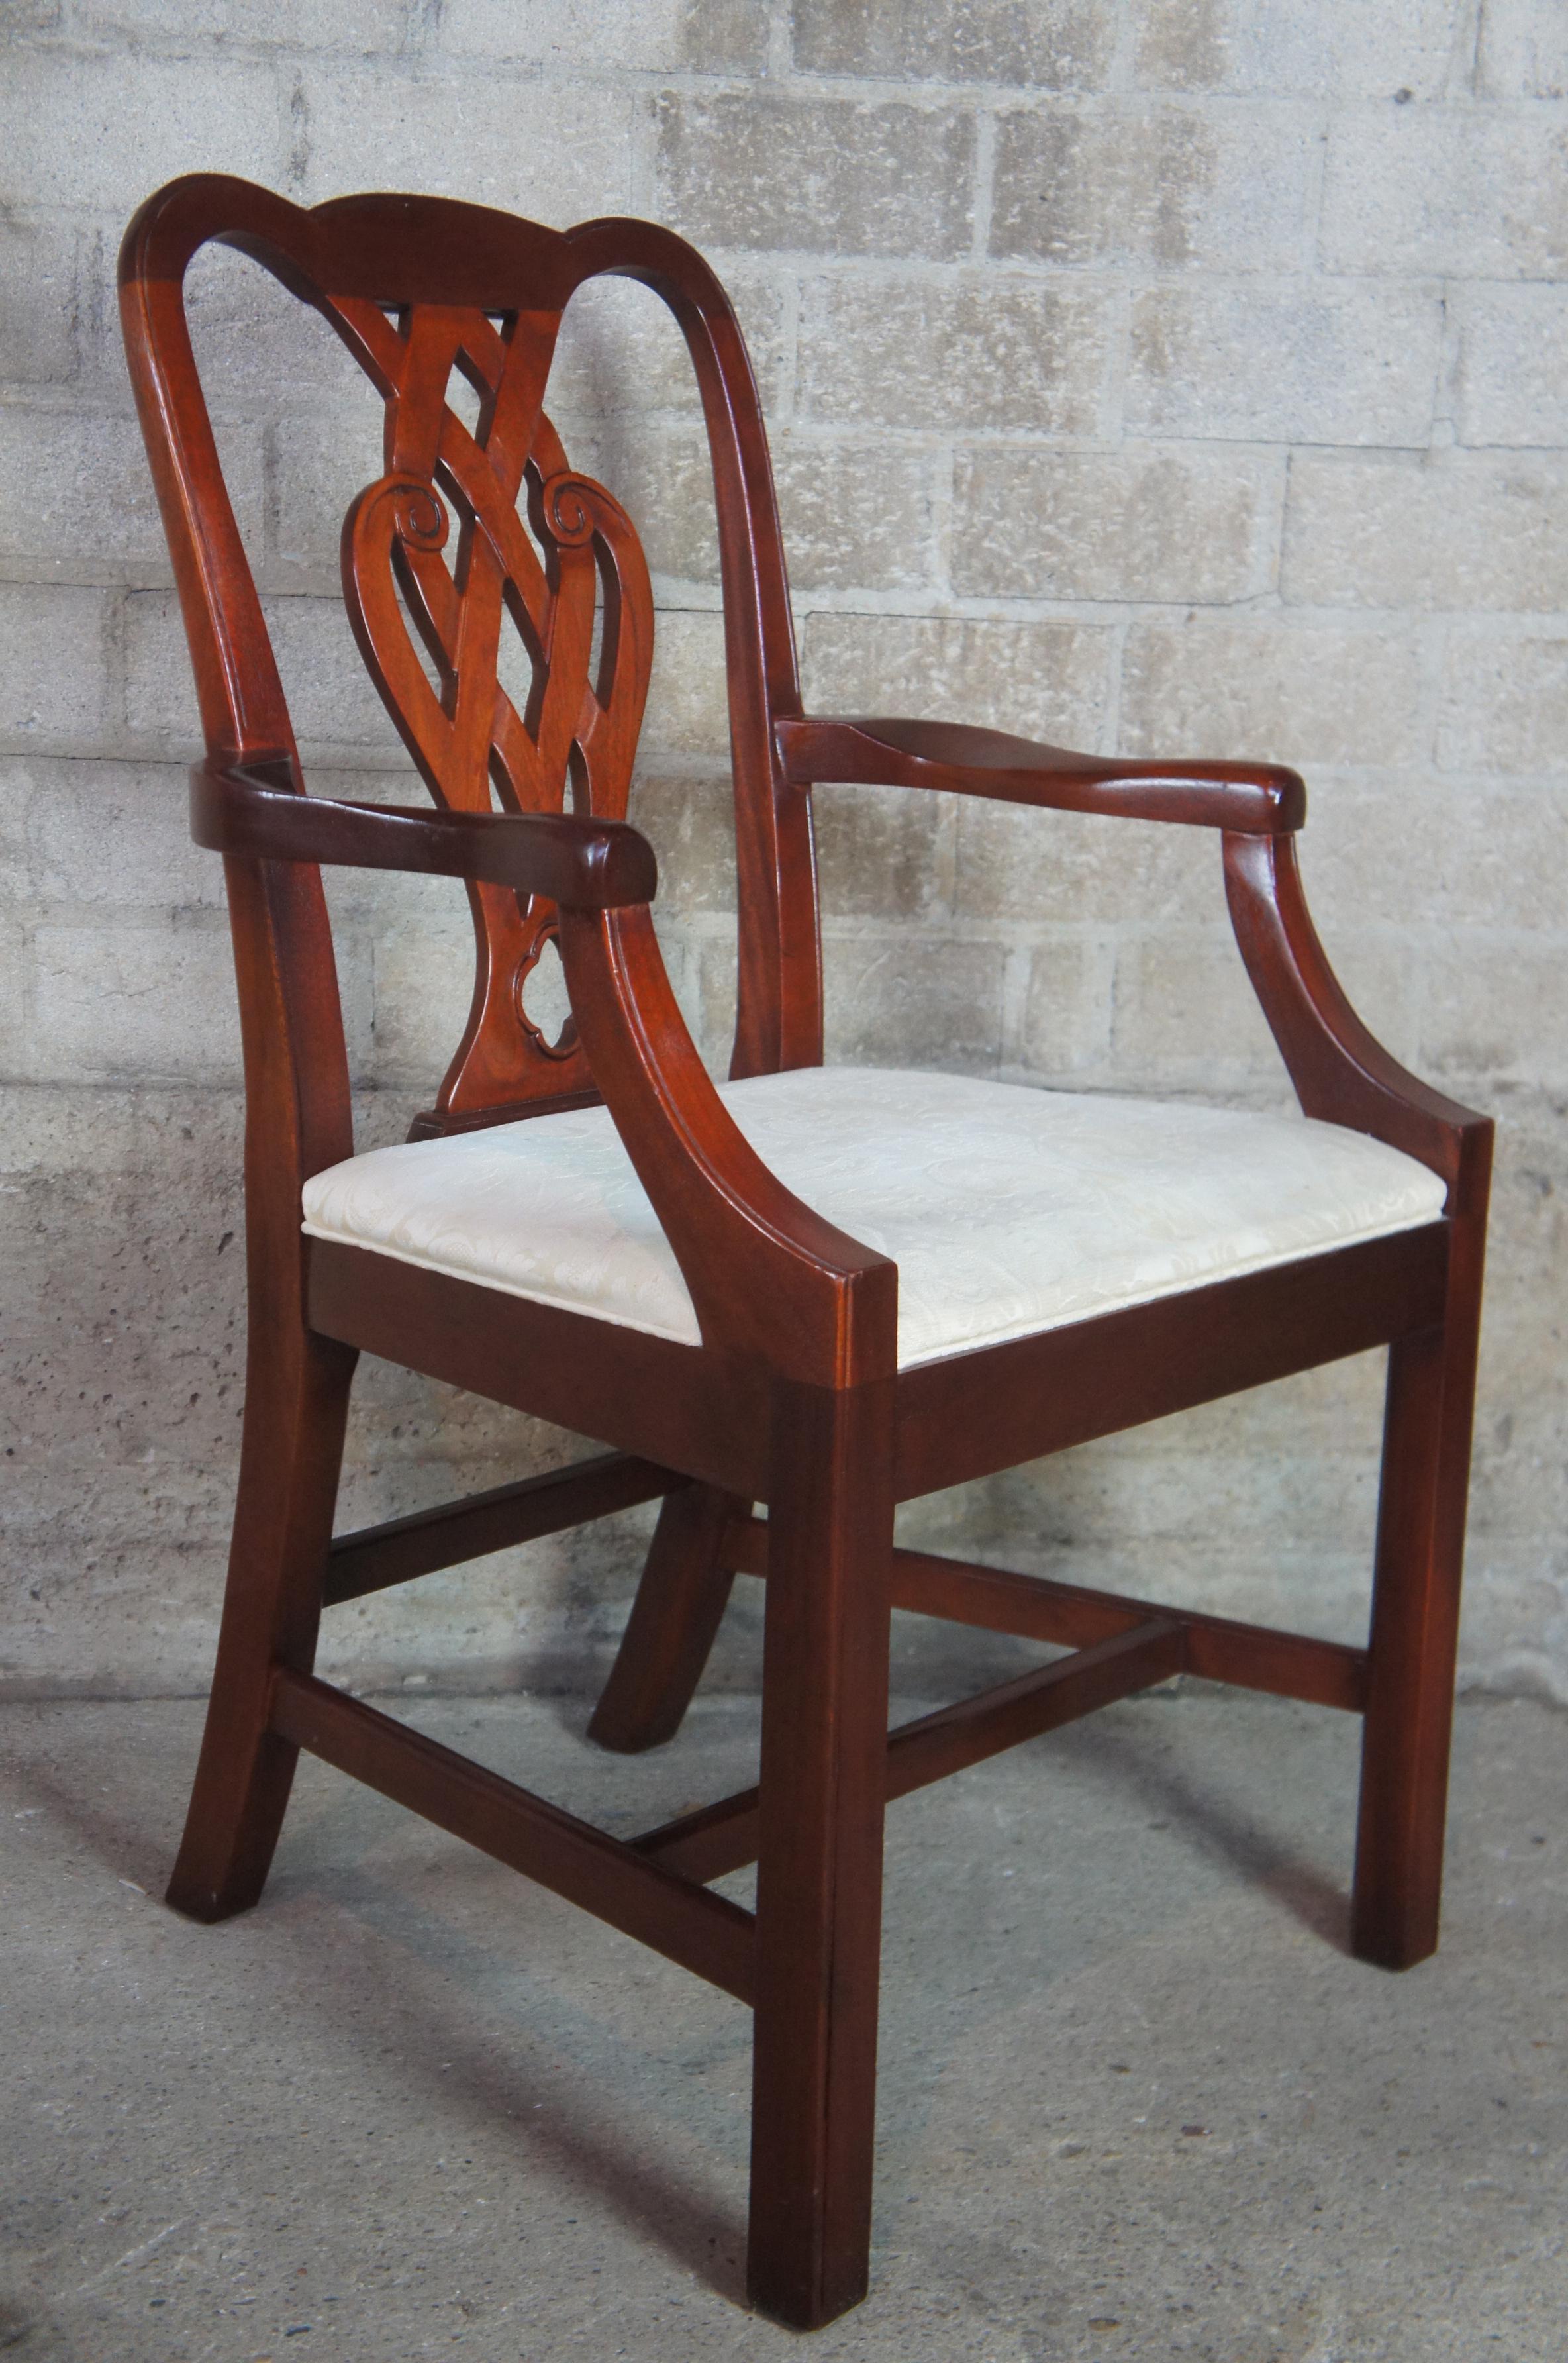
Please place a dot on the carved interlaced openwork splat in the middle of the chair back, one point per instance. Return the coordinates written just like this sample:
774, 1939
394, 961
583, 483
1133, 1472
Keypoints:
436, 568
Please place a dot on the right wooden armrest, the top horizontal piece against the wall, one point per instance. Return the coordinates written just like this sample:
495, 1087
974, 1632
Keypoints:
1257, 800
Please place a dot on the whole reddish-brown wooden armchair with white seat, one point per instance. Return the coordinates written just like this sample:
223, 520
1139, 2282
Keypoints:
799, 1289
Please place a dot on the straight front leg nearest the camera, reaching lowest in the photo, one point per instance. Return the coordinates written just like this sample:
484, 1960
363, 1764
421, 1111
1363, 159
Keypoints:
823, 1788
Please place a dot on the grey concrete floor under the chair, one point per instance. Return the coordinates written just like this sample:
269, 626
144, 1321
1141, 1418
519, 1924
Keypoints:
1137, 2102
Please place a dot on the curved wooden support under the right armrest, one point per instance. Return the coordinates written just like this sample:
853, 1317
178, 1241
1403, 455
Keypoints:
1335, 1065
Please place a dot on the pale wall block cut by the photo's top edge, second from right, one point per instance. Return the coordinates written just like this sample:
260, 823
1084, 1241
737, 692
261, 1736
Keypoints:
1404, 51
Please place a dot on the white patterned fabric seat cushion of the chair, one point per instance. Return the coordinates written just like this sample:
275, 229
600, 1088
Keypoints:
1005, 1209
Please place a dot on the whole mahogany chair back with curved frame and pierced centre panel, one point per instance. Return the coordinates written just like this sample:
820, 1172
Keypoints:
469, 535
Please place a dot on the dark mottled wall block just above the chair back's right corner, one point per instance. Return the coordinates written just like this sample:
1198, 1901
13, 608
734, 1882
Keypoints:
823, 176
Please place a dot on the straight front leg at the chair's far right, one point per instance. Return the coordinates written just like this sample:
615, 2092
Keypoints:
1416, 1636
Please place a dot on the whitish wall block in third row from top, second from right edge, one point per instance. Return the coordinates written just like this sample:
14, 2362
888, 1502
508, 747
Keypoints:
1288, 363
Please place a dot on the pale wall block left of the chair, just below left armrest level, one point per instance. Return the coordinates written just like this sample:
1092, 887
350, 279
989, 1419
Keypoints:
119, 1003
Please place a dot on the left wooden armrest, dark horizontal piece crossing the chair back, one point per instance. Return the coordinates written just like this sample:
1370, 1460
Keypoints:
256, 812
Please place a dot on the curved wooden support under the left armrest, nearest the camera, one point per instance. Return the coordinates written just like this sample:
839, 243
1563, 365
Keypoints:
769, 1277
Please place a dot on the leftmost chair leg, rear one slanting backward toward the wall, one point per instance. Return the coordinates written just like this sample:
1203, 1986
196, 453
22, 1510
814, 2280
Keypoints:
292, 1454
